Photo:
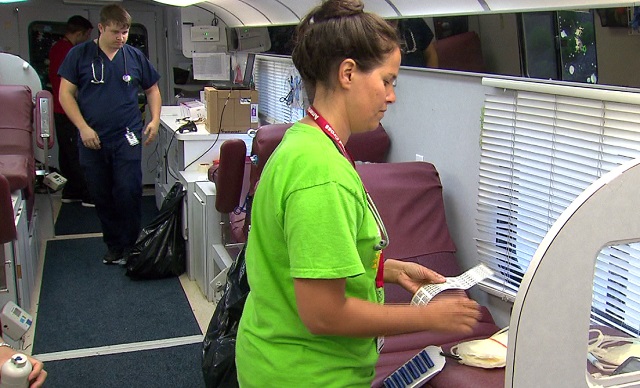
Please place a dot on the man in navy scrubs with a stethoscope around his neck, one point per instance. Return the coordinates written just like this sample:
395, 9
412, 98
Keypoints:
99, 87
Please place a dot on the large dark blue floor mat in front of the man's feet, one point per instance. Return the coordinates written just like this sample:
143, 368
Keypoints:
84, 303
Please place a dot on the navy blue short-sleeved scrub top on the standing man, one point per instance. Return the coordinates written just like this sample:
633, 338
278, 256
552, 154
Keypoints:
109, 107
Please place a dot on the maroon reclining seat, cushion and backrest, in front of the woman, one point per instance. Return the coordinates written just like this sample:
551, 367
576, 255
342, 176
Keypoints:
409, 199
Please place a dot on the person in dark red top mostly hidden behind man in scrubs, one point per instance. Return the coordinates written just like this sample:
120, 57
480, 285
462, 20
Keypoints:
78, 30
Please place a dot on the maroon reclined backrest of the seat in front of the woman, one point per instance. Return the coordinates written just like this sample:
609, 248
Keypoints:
409, 199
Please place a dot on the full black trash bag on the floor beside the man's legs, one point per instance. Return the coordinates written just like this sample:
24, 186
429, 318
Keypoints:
159, 251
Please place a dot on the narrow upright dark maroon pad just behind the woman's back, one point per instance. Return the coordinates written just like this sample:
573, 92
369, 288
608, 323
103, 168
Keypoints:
229, 175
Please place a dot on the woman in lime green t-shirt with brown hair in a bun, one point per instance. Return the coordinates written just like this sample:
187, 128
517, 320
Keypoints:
315, 315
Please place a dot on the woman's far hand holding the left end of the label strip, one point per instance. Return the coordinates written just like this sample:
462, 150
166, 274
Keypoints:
410, 276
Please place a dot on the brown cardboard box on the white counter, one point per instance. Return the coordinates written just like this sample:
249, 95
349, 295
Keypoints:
239, 115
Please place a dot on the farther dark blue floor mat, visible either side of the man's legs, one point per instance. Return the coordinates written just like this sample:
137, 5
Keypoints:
77, 219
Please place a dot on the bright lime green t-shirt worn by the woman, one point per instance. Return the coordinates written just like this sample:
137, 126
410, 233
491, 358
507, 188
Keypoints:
309, 219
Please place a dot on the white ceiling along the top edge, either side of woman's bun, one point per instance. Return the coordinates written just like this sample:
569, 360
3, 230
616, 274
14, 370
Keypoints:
277, 12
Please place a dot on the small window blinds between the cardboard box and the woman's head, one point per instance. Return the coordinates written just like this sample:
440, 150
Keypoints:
279, 90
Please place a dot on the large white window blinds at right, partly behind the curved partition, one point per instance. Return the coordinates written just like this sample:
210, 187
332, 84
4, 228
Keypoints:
539, 151
